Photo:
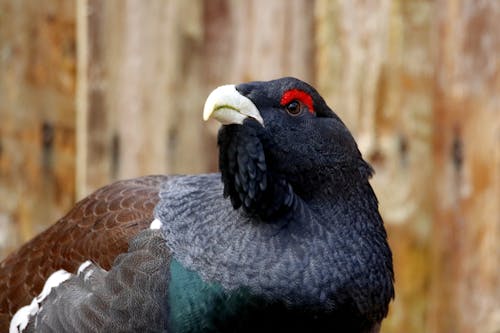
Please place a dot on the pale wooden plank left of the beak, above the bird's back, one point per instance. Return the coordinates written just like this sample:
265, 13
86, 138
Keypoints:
145, 83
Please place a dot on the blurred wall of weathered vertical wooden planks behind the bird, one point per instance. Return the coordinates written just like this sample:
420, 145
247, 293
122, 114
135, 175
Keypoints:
94, 91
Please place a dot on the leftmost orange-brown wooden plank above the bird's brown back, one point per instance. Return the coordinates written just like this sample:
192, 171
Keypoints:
37, 134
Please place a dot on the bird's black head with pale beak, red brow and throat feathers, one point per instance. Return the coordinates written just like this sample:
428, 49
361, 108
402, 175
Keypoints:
280, 132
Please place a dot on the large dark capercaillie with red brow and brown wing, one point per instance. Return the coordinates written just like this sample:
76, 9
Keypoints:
287, 237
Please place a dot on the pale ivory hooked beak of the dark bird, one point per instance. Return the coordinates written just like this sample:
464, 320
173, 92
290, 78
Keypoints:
226, 105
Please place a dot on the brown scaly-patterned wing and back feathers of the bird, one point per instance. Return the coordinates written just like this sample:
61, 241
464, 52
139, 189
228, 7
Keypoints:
97, 228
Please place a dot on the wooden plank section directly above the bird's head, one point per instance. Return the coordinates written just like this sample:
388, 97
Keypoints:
241, 46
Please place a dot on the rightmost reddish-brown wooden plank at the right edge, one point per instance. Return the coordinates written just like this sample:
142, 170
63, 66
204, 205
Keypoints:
466, 254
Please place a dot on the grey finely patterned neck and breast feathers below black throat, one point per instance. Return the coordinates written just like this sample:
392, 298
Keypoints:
291, 261
